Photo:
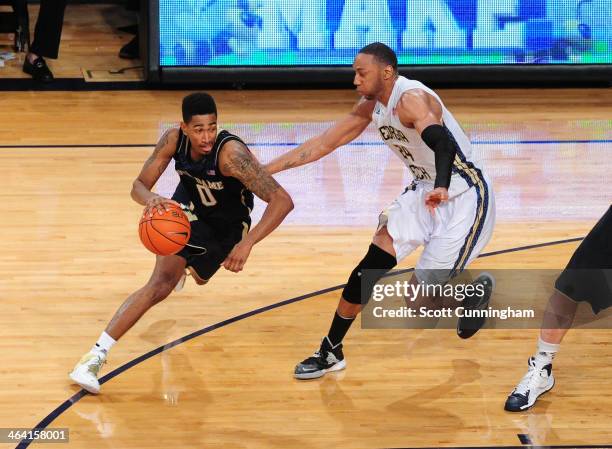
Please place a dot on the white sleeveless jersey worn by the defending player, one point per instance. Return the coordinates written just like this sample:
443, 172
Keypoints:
407, 144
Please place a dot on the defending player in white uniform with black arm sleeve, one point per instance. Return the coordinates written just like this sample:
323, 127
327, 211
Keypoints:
449, 207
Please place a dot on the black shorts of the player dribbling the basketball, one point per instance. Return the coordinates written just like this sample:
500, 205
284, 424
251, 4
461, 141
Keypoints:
210, 244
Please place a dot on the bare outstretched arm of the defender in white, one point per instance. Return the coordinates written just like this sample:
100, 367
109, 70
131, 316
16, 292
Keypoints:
341, 133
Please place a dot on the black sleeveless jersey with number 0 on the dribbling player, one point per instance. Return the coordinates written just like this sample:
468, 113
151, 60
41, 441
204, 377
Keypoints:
219, 200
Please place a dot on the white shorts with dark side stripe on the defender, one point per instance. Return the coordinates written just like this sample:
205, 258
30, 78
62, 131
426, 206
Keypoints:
453, 238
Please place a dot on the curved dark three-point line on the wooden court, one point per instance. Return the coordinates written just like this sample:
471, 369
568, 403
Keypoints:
80, 394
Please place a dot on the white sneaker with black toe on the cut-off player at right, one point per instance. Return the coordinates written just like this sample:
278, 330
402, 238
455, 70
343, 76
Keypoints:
533, 384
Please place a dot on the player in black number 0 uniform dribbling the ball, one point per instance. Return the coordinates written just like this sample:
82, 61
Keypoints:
218, 177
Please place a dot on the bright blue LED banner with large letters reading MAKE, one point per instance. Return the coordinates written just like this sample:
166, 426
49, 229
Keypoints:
249, 33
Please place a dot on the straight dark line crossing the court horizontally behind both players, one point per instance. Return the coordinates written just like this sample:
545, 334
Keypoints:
291, 144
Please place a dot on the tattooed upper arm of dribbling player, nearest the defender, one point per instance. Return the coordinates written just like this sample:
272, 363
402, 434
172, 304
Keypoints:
244, 167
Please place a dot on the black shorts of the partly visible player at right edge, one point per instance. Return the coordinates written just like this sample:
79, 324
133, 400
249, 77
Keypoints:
588, 275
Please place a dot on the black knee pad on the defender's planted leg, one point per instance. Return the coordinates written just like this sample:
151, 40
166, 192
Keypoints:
375, 259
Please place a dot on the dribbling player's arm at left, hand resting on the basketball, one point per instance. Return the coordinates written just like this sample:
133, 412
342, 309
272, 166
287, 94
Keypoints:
152, 169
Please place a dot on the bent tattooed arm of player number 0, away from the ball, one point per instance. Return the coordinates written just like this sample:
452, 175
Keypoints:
237, 161
